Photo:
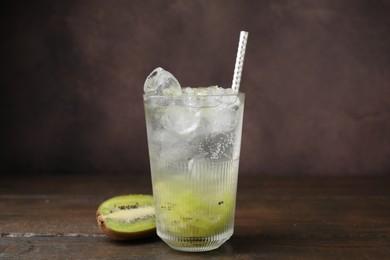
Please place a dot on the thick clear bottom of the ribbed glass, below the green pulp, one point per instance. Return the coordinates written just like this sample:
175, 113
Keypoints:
195, 244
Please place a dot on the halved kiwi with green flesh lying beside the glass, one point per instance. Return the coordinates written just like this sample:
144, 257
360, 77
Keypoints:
127, 217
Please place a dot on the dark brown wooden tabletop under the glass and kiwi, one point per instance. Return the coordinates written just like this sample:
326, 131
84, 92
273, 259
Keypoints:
53, 217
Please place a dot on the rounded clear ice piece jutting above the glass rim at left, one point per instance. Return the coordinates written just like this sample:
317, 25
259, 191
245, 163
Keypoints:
161, 83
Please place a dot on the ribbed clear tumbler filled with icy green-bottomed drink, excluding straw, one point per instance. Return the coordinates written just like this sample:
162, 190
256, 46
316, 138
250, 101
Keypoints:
194, 147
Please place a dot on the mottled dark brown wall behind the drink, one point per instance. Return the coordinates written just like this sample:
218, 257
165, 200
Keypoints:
316, 76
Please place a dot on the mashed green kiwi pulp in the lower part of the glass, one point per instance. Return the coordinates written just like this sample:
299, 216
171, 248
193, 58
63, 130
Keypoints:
191, 215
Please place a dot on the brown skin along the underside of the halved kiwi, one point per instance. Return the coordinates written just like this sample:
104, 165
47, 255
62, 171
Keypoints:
117, 235
